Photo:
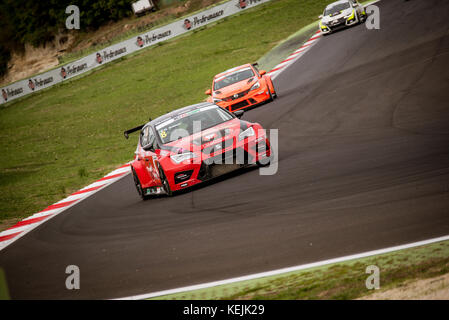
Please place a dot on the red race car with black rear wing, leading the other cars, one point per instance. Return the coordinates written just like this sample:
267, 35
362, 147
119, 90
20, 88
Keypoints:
194, 144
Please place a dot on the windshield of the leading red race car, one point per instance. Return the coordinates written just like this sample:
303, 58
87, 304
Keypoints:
183, 125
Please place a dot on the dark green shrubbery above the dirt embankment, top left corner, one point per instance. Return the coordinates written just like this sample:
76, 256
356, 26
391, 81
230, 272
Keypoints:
37, 22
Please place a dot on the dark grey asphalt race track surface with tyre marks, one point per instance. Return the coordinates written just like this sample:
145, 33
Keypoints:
363, 121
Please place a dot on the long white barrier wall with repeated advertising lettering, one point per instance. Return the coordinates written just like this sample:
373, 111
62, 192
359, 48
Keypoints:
106, 55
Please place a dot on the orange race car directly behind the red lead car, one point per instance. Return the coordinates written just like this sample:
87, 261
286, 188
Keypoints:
241, 87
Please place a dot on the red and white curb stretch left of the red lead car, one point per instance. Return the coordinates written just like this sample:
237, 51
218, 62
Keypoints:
26, 225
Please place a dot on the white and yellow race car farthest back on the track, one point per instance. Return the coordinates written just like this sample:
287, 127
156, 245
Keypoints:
340, 14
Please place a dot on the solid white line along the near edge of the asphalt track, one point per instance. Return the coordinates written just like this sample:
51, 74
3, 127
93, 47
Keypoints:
285, 270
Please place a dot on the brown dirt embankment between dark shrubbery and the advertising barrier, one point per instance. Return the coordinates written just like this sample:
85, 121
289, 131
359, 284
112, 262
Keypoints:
36, 60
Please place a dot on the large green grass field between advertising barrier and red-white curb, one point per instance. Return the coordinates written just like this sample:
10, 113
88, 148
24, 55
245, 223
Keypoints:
61, 139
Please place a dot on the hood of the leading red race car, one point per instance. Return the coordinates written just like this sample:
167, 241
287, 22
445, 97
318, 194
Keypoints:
208, 137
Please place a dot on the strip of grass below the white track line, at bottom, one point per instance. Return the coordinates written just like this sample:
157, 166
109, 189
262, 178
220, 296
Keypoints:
344, 280
